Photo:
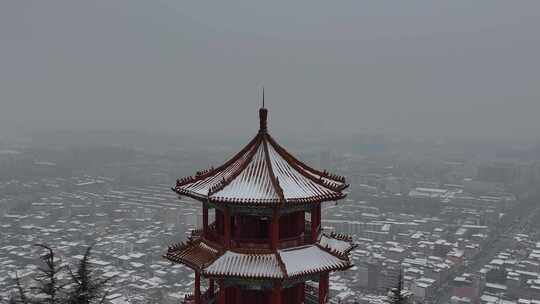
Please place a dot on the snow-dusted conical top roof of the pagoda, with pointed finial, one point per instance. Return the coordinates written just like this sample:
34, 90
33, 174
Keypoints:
264, 174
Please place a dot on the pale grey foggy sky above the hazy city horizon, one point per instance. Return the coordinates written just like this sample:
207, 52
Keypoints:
458, 68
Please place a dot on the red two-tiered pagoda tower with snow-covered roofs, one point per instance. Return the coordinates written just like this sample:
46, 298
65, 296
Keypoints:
266, 244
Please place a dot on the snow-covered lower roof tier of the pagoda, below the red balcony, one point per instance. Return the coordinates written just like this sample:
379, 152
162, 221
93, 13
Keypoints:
330, 253
